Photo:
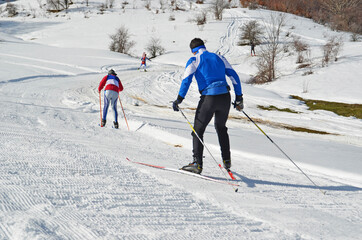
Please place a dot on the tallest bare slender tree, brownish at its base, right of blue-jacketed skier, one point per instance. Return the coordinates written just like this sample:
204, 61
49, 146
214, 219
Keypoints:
269, 53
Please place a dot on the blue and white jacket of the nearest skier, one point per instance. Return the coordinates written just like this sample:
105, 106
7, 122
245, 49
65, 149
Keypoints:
209, 70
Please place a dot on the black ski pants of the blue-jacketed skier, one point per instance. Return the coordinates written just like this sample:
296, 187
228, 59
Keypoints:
209, 106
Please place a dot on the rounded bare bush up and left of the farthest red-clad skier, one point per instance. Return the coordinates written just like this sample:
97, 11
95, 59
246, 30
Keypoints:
121, 41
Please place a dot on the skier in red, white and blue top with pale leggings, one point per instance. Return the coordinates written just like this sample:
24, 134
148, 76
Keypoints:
112, 88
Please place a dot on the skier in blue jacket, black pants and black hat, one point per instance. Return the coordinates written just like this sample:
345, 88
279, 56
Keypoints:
209, 70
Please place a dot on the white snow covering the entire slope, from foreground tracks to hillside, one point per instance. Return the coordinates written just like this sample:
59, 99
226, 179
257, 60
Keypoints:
62, 176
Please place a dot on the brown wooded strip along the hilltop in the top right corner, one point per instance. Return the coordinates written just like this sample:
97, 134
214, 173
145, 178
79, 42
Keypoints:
344, 15
